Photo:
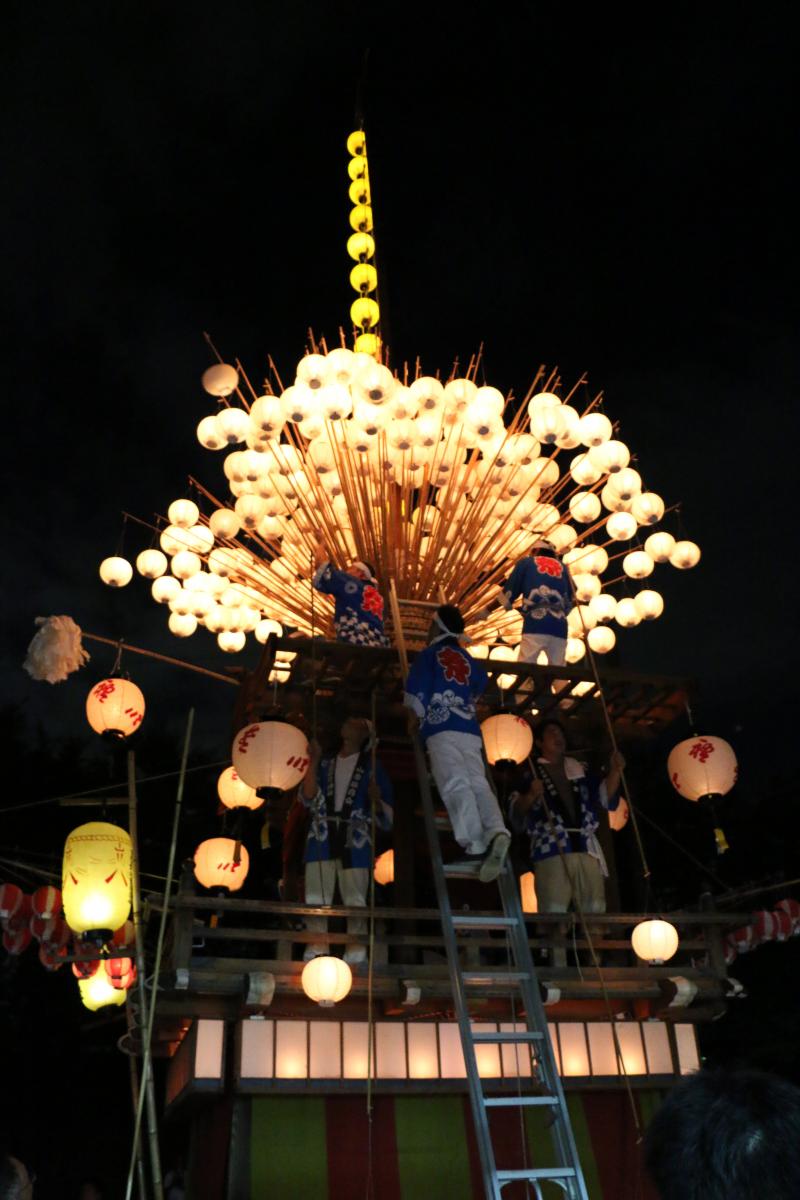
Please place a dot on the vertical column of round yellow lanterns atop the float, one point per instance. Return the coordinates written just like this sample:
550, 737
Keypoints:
362, 247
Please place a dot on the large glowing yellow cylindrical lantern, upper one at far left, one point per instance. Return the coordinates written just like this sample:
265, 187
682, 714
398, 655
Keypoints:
97, 880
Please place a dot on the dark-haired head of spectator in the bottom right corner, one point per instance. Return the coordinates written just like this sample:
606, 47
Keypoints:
727, 1136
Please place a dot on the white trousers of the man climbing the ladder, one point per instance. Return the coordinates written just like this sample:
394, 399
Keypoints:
459, 769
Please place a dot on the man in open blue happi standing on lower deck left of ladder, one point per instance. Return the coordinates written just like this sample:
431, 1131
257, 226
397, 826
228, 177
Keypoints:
341, 793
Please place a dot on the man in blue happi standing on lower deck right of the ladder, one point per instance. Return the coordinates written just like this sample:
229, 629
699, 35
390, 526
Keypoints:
558, 806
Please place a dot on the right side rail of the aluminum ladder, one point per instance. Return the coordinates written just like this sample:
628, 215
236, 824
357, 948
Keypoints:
537, 1019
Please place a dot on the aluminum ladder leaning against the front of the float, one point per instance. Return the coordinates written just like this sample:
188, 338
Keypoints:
567, 1172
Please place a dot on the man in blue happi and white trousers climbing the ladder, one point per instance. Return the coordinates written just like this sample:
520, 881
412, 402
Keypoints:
441, 692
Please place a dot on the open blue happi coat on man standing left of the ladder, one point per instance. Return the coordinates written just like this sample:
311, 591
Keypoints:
347, 835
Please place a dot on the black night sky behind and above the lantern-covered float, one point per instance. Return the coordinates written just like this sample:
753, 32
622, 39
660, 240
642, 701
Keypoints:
579, 191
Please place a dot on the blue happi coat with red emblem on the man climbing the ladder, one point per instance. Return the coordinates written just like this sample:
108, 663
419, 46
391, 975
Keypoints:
443, 687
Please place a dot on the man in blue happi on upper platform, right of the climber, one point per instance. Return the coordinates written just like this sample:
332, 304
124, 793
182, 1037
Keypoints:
543, 581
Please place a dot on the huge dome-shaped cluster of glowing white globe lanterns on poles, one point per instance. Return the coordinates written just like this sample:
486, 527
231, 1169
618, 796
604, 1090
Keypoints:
398, 475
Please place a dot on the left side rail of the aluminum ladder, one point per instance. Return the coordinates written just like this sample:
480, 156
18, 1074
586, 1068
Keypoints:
483, 1135
